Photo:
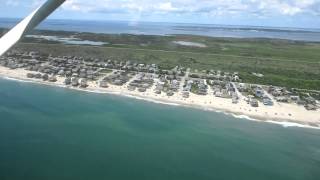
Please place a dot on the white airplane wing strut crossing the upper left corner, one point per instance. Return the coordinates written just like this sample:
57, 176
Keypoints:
27, 24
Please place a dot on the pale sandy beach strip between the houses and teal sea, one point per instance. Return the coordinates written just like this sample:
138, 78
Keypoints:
279, 112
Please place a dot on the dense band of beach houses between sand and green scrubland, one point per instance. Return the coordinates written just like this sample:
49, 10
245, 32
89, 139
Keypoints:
47, 67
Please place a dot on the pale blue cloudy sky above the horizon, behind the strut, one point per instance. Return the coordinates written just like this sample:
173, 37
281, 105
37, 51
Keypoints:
282, 13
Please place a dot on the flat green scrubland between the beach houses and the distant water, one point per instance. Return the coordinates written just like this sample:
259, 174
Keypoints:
282, 62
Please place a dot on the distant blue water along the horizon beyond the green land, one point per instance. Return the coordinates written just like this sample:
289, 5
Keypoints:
152, 28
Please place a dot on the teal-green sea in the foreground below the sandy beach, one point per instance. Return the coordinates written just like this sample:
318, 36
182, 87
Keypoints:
55, 133
